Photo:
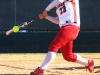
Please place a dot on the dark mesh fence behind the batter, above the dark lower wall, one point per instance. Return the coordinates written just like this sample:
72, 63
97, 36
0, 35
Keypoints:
14, 12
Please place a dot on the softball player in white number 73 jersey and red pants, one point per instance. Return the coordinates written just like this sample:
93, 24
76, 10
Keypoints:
69, 21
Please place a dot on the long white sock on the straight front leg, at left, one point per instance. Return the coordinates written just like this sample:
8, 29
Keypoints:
48, 59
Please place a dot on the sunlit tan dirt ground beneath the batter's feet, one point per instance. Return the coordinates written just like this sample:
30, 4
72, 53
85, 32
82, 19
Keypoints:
25, 63
